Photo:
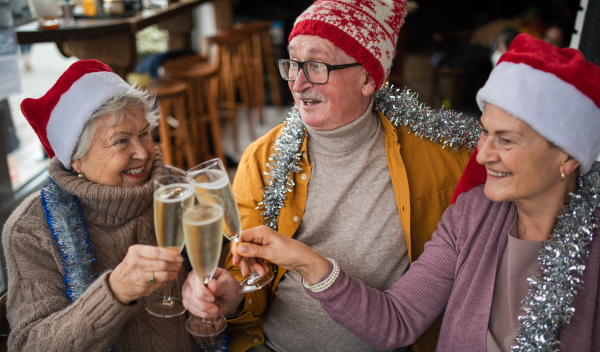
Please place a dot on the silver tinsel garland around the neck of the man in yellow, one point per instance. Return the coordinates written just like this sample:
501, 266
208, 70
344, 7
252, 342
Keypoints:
402, 108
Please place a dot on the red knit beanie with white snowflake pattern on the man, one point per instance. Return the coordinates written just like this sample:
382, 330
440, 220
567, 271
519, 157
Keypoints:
367, 30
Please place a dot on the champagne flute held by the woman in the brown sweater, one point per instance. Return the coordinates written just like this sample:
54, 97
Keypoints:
172, 195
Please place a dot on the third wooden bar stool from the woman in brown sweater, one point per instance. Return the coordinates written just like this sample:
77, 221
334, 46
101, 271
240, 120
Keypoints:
232, 52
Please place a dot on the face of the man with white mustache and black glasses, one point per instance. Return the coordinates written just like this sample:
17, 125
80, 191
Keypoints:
340, 101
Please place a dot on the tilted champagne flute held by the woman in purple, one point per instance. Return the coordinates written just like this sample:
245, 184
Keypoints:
211, 177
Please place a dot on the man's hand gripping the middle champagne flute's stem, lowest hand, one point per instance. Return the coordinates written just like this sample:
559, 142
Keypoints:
221, 296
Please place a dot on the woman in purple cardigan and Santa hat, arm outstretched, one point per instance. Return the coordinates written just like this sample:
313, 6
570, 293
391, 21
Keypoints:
514, 262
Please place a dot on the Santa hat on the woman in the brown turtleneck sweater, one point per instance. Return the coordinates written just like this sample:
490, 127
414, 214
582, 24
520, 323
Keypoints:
59, 116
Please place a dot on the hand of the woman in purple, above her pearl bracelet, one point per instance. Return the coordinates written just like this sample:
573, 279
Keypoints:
268, 244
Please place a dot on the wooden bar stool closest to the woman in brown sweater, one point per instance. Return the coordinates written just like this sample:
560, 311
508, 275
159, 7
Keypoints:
175, 142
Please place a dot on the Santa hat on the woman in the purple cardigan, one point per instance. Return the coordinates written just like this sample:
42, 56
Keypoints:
553, 90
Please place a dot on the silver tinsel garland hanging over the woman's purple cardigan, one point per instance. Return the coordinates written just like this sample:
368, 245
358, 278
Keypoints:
548, 305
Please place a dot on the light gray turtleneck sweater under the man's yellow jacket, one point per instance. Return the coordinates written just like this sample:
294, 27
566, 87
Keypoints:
351, 216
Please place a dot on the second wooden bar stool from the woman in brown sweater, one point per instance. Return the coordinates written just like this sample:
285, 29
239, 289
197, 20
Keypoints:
202, 80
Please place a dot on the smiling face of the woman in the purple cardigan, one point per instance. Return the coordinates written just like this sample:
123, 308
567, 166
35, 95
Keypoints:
522, 166
